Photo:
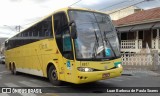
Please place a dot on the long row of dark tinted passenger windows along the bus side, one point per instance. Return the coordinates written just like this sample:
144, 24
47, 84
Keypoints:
40, 31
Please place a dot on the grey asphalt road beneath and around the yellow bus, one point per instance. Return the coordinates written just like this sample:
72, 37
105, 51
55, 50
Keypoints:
128, 79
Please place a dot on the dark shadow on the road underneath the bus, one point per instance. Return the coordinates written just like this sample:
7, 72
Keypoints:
93, 87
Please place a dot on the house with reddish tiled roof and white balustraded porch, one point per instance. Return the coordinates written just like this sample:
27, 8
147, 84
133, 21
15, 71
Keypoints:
140, 30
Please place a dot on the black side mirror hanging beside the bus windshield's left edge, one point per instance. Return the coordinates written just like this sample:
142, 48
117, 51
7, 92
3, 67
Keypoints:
73, 29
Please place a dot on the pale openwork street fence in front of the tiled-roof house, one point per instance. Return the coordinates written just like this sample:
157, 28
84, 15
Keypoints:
144, 61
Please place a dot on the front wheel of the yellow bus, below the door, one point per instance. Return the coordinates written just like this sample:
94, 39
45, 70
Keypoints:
53, 76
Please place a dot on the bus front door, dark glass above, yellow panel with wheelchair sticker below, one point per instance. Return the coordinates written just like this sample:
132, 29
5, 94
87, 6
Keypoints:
64, 44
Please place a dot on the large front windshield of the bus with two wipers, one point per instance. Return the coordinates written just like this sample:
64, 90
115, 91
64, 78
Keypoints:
96, 36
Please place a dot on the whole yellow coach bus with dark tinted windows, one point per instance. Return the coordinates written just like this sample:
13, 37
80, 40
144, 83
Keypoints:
72, 44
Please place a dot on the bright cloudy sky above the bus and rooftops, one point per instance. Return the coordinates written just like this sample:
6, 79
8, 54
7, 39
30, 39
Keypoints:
26, 12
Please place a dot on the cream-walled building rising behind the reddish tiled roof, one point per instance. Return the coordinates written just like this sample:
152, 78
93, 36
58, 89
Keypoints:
120, 13
